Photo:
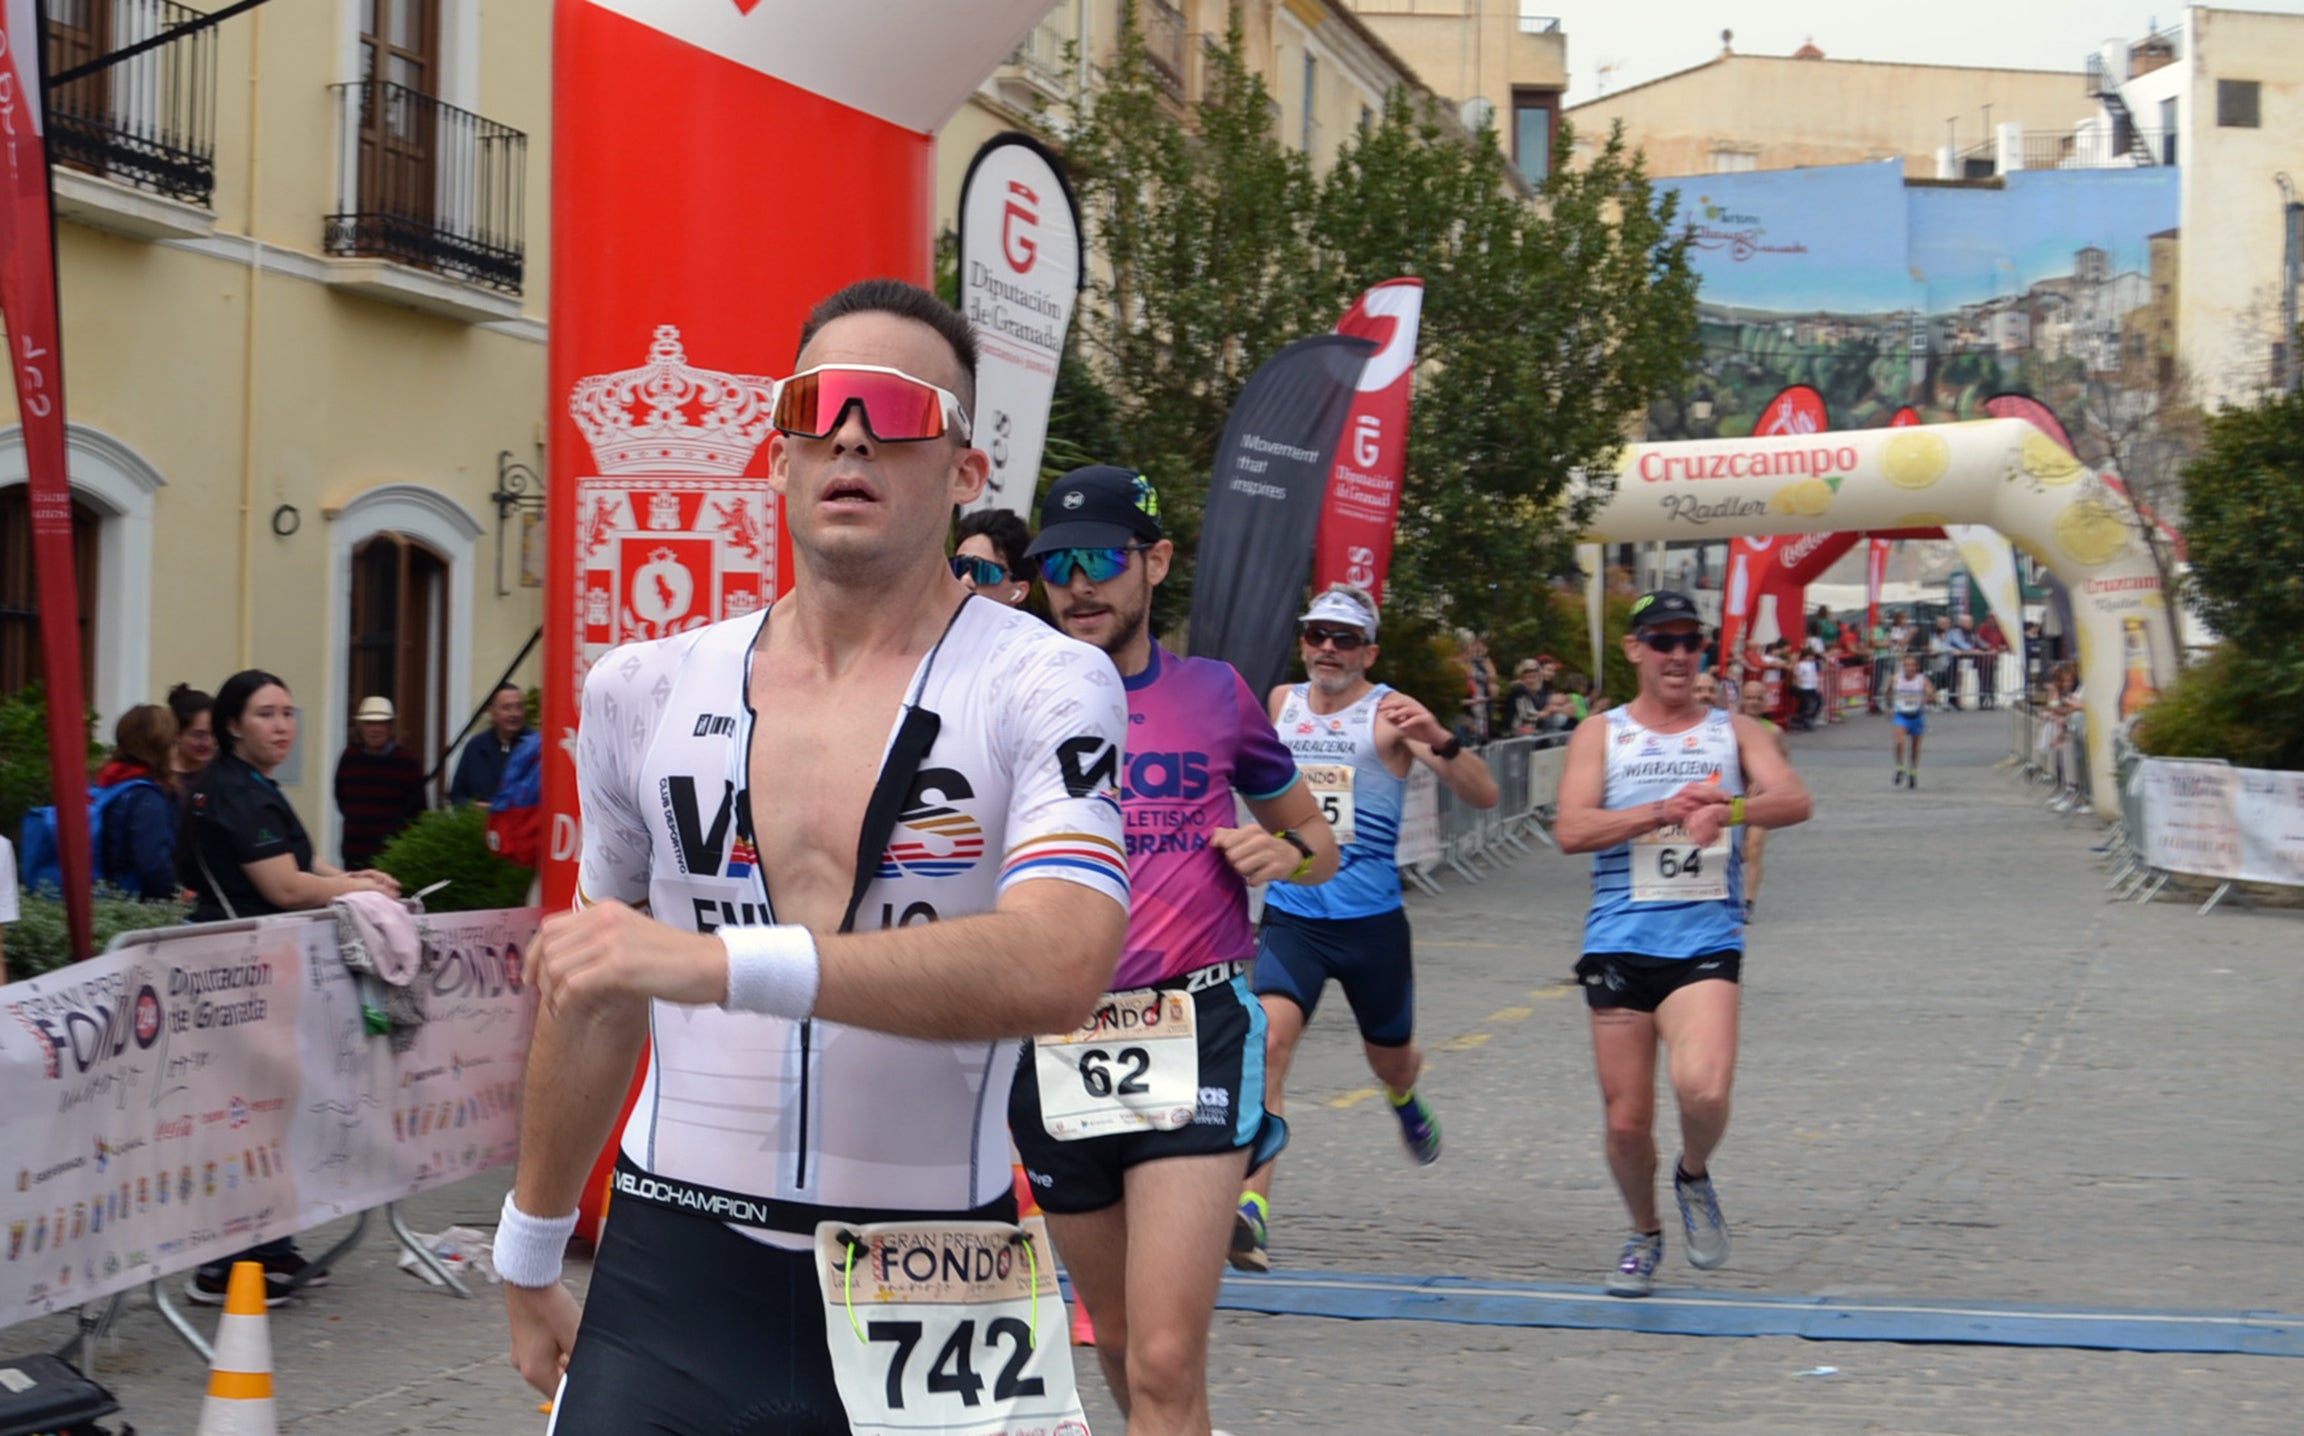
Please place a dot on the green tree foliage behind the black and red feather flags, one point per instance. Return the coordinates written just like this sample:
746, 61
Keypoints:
1549, 324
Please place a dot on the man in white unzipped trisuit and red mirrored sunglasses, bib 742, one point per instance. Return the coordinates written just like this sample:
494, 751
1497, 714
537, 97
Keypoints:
877, 753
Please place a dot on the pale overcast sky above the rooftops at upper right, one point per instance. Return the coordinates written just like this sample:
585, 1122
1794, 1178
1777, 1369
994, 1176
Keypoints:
1651, 38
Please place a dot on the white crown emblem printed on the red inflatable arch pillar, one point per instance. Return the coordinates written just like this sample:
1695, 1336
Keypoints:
672, 418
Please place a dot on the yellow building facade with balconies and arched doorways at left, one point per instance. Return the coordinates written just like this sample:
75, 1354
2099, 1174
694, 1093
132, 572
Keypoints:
303, 278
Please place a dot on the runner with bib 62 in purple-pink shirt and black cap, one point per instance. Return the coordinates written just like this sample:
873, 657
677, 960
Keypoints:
1137, 1147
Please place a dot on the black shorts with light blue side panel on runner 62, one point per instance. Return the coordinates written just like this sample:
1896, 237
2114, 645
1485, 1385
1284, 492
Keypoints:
1089, 1174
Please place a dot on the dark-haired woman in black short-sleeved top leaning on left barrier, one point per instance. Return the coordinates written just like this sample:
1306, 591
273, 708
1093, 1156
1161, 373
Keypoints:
245, 854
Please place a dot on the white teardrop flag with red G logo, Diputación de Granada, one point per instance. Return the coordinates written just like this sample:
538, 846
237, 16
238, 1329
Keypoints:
1022, 269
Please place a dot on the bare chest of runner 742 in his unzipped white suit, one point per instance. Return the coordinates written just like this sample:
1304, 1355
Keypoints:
817, 750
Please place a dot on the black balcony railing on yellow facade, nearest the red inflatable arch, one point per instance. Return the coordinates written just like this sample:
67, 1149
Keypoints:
430, 186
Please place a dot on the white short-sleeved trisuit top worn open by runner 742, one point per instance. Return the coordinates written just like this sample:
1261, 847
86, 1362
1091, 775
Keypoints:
1017, 787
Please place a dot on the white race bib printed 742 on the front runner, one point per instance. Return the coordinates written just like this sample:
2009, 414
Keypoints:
948, 1327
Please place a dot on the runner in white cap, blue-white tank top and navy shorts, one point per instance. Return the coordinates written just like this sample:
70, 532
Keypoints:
1358, 743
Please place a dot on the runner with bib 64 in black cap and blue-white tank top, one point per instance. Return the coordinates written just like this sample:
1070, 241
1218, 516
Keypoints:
1660, 794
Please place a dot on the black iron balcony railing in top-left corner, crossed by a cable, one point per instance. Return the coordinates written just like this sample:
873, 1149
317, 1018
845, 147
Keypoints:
149, 121
